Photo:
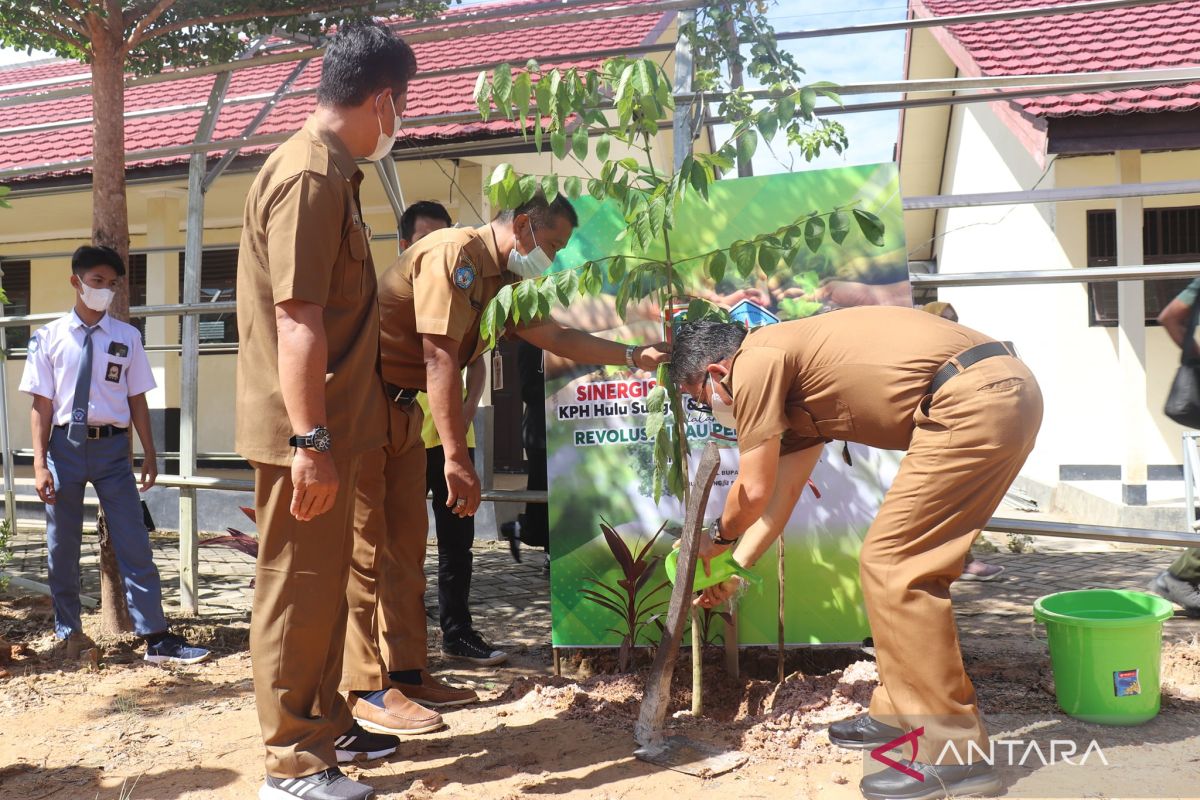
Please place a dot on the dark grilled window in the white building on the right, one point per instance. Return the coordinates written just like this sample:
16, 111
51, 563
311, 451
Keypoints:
1169, 237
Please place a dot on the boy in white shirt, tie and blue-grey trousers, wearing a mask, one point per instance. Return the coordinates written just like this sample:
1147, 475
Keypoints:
88, 376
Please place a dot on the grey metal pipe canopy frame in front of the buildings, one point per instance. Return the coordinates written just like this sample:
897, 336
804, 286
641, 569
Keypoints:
201, 179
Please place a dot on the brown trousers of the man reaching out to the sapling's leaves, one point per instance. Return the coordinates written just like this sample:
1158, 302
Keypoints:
387, 586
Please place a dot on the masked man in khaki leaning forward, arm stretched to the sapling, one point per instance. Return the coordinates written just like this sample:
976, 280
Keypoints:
430, 308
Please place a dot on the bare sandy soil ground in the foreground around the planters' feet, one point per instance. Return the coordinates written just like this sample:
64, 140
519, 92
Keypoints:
81, 732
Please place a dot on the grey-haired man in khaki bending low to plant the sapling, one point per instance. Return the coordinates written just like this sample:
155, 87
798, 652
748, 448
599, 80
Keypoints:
967, 412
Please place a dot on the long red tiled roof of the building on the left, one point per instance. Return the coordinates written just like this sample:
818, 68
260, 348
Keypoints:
443, 95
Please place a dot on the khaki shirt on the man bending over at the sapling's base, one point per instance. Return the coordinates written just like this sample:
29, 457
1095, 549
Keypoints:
855, 375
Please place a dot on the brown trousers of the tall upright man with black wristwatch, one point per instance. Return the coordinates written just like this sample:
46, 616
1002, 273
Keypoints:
298, 624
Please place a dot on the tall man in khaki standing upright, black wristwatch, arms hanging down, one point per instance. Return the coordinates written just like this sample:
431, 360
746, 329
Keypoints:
310, 405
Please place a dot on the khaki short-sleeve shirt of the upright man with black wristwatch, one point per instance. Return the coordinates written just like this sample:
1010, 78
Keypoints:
304, 239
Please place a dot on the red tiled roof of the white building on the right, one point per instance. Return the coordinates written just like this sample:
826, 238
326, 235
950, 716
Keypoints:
1123, 39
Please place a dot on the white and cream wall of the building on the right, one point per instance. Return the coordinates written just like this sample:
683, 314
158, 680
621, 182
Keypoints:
1076, 364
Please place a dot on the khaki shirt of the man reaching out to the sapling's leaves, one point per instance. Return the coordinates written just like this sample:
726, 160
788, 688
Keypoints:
439, 287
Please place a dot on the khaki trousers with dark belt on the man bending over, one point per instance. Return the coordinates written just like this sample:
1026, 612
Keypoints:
970, 443
